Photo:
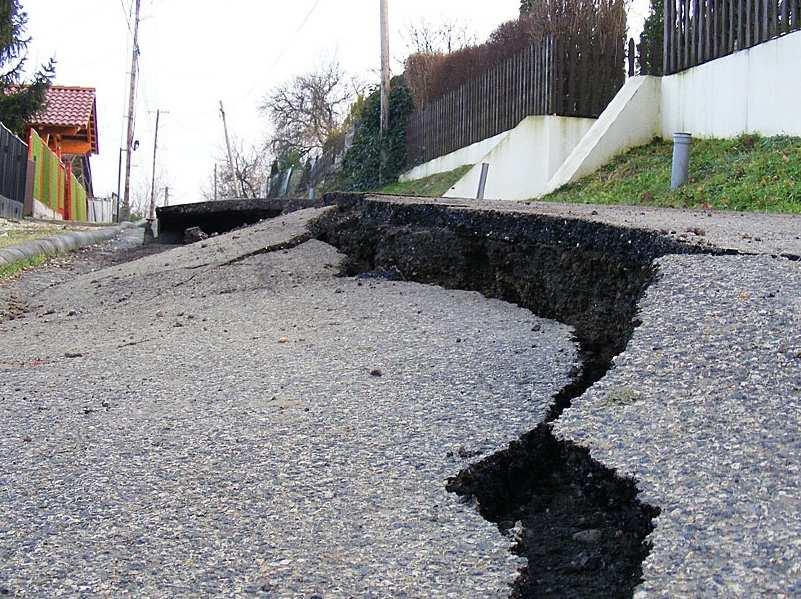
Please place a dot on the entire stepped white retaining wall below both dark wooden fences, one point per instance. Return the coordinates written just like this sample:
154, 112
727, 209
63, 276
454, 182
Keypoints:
752, 91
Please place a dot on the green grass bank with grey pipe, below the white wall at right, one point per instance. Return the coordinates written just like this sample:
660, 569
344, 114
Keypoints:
748, 173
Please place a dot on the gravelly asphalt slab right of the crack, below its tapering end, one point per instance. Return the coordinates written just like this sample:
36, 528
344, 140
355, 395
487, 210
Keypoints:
704, 410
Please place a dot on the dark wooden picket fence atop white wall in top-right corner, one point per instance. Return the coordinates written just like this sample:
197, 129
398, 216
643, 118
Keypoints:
697, 31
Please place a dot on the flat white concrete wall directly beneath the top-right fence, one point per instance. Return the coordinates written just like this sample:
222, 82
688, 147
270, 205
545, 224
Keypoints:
752, 91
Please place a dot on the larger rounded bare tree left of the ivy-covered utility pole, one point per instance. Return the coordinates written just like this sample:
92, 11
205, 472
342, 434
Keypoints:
309, 108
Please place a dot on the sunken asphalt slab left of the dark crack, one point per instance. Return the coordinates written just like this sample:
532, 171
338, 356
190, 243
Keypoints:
232, 418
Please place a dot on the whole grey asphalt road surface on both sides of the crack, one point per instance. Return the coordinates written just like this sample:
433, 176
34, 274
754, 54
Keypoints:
232, 418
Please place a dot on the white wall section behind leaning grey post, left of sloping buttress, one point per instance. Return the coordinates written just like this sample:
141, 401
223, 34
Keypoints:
523, 162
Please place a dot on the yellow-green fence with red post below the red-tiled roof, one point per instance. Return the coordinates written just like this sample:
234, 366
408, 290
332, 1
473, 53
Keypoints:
54, 185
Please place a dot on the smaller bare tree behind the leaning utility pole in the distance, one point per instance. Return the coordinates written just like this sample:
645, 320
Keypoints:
252, 166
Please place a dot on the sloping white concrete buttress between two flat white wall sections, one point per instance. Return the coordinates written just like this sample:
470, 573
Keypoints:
631, 119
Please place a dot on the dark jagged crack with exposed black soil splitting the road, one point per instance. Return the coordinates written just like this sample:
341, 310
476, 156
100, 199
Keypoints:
584, 531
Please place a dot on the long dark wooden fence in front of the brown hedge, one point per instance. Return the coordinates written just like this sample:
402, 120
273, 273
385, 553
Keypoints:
550, 77
